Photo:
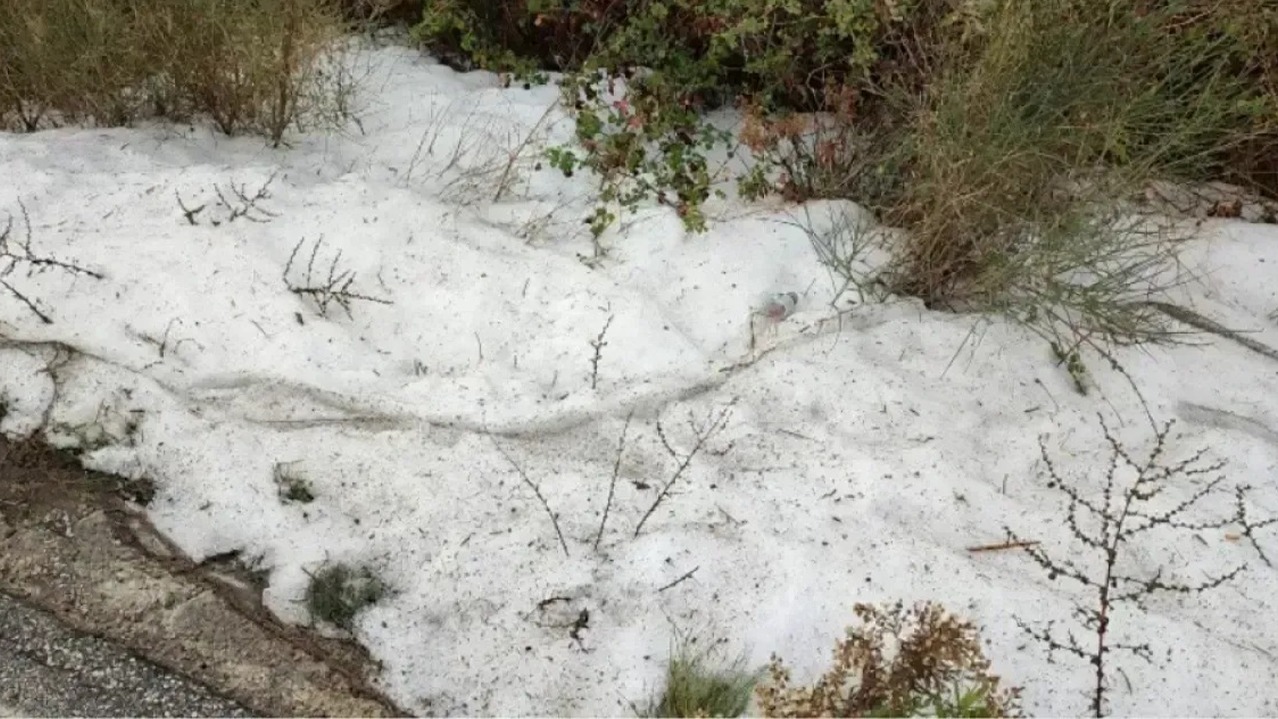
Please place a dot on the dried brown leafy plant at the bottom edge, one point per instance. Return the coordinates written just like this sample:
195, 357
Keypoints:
917, 662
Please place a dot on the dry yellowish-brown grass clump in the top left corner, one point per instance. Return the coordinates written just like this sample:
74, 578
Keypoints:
250, 66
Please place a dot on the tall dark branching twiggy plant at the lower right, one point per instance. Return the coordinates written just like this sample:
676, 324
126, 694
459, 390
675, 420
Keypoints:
1132, 505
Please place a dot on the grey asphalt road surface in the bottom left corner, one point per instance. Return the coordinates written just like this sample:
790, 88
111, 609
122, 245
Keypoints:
49, 670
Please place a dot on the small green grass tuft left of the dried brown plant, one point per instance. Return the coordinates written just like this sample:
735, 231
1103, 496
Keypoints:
697, 688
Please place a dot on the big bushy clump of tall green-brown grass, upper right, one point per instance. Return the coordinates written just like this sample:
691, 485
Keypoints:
1015, 168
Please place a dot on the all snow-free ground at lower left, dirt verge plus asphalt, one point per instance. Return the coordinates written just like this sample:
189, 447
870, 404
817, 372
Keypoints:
102, 616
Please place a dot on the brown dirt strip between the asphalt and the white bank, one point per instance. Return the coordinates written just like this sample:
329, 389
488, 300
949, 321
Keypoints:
79, 545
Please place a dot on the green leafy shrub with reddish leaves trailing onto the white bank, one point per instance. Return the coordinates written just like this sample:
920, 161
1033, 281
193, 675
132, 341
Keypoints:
641, 76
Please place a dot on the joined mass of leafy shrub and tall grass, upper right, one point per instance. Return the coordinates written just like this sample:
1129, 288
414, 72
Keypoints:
1013, 141
